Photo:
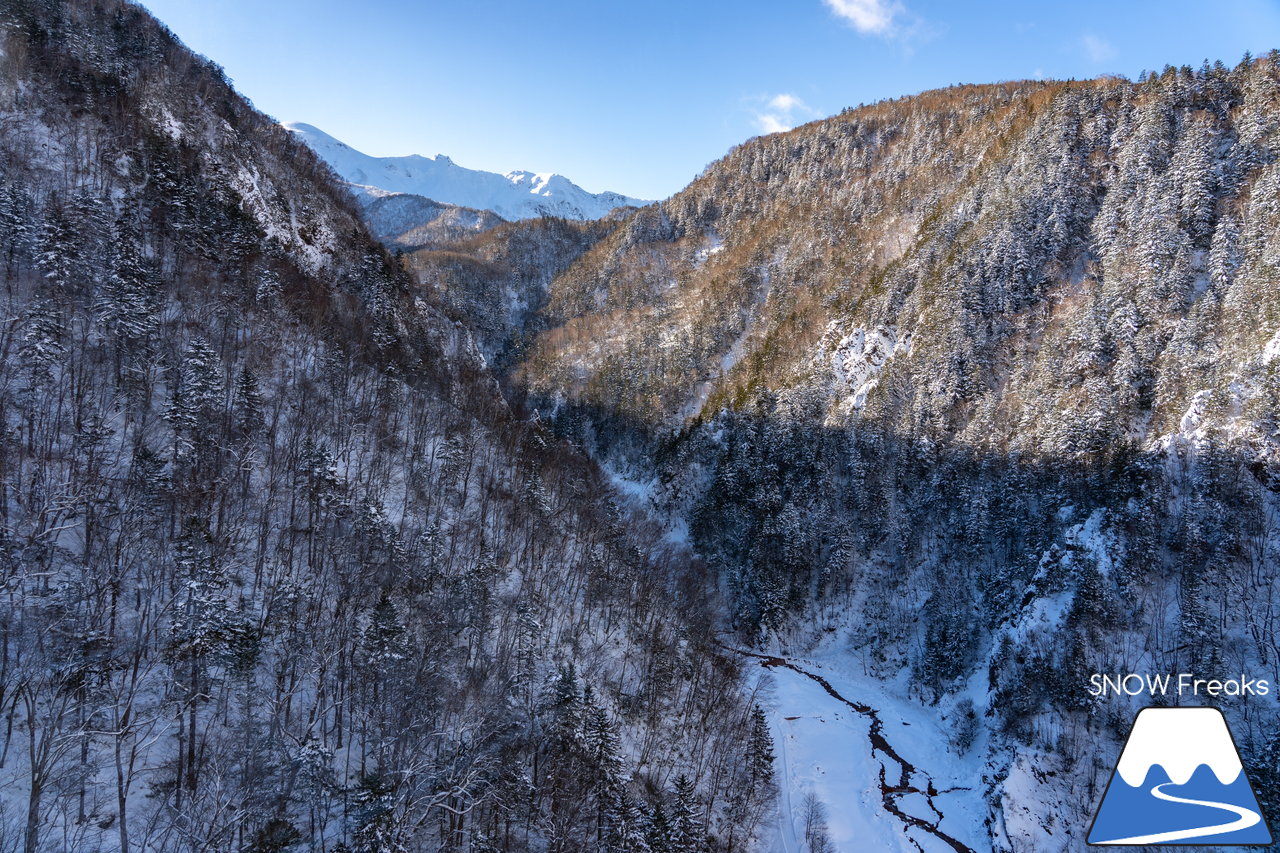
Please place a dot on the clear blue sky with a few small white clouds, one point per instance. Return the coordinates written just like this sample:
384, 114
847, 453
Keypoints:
641, 97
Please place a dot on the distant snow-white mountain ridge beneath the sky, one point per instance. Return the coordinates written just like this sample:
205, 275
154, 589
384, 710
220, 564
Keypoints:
516, 195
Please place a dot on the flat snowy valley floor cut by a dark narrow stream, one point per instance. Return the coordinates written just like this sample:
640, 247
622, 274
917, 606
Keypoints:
825, 747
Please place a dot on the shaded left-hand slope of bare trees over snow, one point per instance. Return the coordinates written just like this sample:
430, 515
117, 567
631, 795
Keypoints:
281, 569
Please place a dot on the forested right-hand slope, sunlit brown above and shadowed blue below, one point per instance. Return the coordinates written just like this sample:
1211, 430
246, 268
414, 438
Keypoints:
984, 380
